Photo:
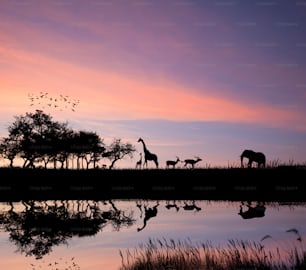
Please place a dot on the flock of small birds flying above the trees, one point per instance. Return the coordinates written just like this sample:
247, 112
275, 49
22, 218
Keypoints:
43, 100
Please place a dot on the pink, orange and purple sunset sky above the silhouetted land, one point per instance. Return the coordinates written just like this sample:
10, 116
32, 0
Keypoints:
204, 78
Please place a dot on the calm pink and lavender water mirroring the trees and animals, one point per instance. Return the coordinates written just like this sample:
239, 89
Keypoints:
88, 235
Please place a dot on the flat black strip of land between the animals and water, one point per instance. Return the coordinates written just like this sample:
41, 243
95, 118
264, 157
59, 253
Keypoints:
283, 184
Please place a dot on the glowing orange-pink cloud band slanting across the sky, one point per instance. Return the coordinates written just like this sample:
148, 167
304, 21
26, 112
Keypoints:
118, 96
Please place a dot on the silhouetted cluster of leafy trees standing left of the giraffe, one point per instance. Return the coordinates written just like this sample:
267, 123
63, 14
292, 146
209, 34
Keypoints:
38, 140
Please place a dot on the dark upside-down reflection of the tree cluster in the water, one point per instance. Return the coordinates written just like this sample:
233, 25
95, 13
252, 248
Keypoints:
40, 226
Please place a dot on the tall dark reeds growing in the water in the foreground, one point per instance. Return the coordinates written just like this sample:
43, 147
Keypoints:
185, 255
